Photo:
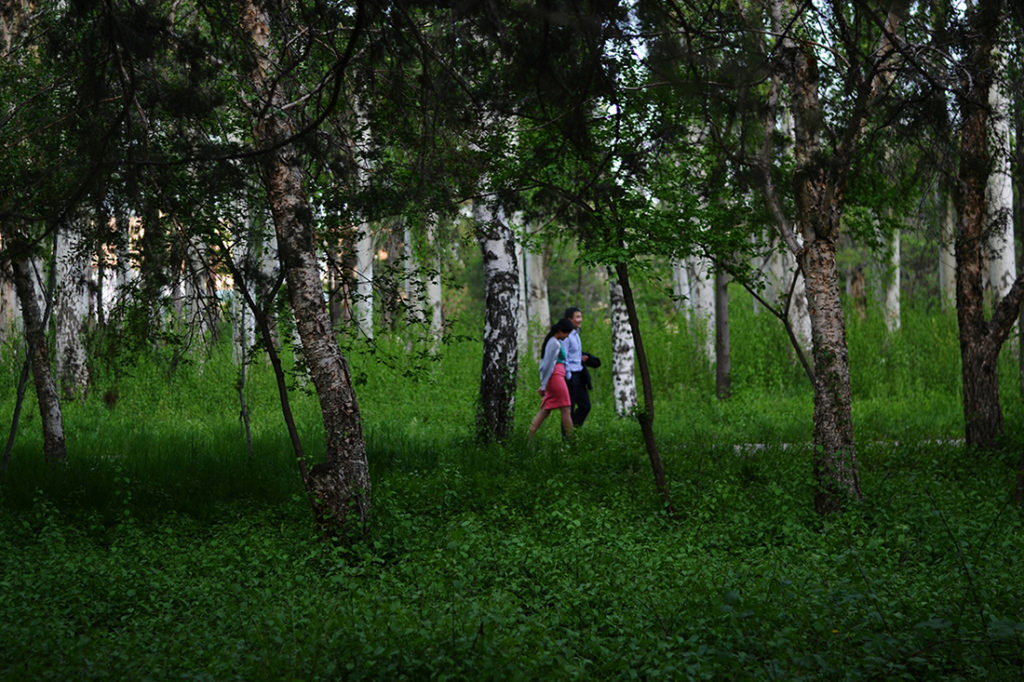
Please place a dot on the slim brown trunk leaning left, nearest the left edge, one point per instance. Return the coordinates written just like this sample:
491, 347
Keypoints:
35, 334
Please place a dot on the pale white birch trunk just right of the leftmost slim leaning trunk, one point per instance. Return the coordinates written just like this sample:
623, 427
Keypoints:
71, 311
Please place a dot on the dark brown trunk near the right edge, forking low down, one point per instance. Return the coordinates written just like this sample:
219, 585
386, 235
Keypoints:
980, 340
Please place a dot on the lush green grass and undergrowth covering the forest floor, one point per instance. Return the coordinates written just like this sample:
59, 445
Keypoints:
164, 551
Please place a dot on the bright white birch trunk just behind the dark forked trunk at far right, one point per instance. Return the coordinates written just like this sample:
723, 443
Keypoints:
1000, 199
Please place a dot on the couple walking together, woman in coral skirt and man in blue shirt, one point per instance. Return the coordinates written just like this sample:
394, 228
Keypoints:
565, 381
